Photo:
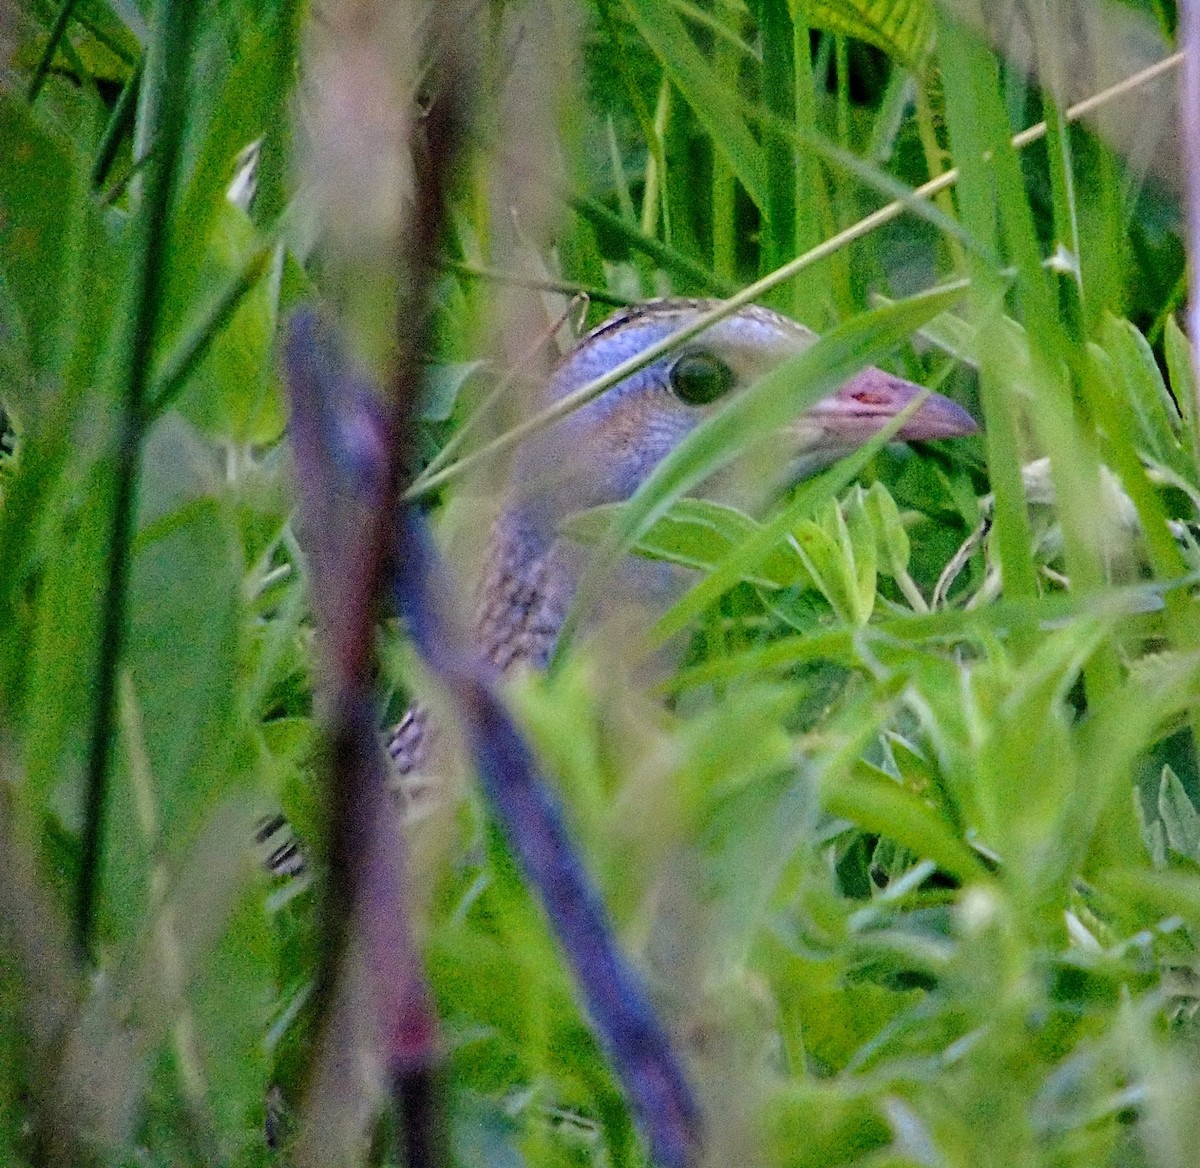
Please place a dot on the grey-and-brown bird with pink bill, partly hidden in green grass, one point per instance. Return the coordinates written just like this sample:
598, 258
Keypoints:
603, 452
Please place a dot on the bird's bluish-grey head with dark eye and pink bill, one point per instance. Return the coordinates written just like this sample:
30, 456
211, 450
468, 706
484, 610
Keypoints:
603, 452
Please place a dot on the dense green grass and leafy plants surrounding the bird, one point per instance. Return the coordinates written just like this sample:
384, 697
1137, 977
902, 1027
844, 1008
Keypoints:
908, 844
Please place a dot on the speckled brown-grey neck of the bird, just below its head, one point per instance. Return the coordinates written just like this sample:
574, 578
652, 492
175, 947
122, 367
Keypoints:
526, 590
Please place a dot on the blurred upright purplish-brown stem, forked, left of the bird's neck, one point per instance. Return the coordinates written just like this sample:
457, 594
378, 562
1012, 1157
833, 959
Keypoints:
351, 457
